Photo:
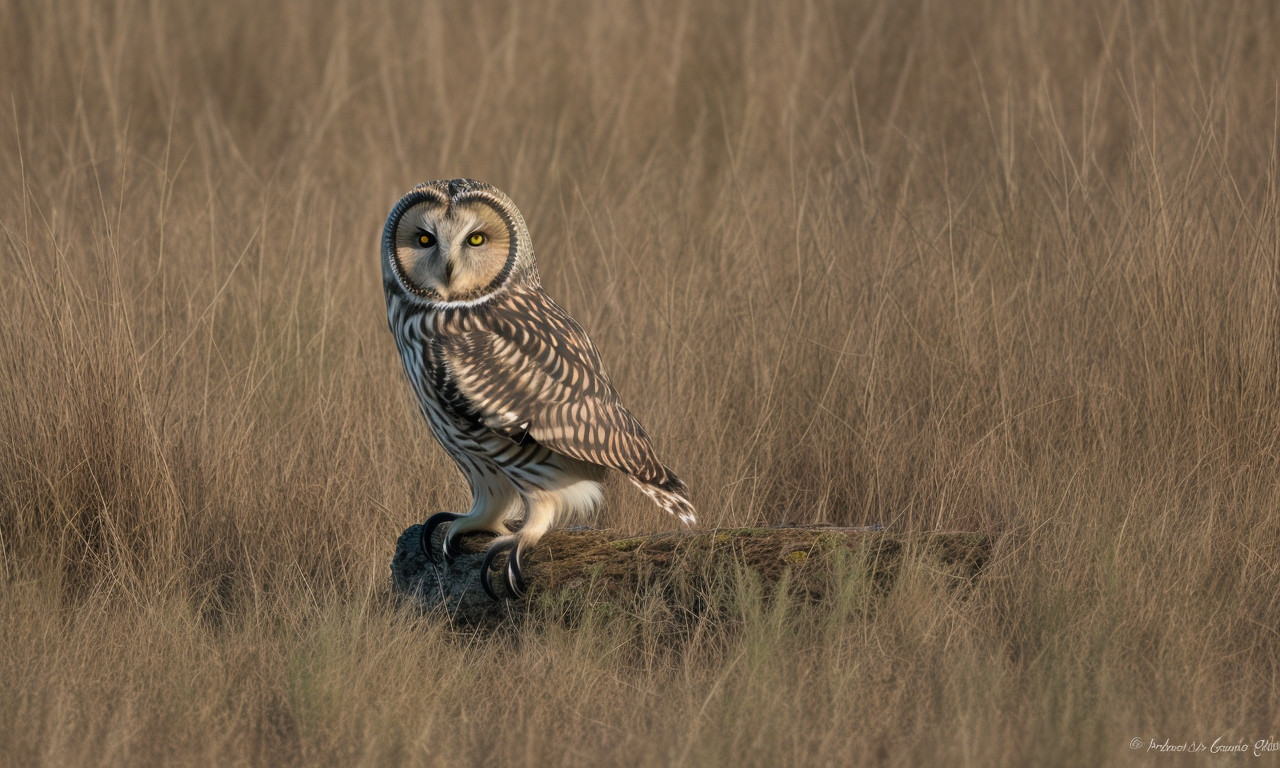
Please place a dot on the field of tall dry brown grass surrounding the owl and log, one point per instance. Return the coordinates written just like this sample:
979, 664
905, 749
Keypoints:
998, 266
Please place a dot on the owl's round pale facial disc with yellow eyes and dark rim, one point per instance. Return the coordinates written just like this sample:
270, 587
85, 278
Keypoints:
451, 253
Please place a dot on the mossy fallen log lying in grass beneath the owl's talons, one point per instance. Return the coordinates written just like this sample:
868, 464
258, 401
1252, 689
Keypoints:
572, 568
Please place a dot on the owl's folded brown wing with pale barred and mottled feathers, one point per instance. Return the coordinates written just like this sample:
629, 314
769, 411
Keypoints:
520, 365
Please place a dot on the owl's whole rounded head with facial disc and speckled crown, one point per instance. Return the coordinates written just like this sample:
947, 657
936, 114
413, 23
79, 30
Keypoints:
456, 241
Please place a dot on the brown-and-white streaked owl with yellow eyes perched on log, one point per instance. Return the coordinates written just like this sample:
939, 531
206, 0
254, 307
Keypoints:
510, 385
